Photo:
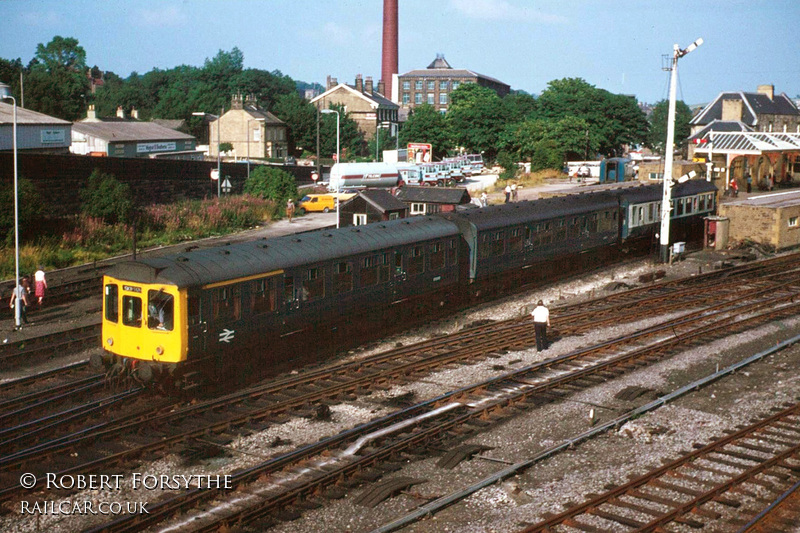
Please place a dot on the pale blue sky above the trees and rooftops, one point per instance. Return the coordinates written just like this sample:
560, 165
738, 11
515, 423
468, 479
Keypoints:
613, 44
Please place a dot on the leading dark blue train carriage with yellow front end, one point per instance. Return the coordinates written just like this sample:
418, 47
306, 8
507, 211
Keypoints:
222, 303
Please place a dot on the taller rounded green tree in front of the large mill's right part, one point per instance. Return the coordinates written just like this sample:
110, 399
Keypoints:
475, 118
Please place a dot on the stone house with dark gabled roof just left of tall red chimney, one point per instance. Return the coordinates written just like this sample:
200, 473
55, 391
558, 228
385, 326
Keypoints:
363, 102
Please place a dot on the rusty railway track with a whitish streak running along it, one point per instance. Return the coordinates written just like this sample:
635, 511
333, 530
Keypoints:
296, 480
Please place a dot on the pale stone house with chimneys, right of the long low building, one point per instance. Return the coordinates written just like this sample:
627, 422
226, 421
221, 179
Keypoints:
253, 132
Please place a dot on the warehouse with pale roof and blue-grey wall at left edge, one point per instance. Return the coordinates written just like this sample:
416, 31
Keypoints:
36, 132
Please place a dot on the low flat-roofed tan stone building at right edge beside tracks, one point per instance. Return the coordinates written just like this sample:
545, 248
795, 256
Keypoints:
772, 220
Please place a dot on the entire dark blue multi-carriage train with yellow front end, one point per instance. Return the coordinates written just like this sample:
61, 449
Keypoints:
258, 307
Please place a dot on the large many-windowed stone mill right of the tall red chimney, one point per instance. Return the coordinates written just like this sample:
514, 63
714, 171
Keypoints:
434, 84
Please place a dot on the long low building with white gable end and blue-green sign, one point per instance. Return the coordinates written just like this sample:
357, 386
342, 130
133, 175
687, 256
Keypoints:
122, 137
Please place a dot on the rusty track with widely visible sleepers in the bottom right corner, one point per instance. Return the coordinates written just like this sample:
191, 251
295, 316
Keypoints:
716, 483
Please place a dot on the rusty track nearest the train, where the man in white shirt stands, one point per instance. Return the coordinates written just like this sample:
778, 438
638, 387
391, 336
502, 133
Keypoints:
266, 404
